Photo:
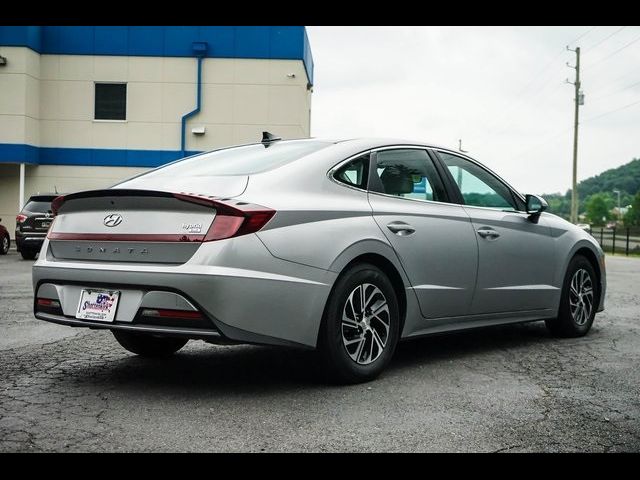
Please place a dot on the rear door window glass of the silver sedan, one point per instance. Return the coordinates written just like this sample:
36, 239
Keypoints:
408, 173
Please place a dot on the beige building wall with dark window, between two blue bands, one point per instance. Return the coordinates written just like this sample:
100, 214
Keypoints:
240, 99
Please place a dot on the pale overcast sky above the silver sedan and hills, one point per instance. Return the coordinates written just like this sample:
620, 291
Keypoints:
501, 90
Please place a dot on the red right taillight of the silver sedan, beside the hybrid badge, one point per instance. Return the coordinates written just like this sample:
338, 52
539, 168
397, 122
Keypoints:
231, 220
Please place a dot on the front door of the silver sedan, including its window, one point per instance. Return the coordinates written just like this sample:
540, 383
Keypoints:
516, 255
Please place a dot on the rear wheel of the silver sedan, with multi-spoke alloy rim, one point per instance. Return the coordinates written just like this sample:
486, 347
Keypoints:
360, 327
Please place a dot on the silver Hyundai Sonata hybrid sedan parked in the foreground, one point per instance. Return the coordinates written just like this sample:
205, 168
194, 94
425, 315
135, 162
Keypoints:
345, 247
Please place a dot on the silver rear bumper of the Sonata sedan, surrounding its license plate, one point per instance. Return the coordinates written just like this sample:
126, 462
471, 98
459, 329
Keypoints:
247, 295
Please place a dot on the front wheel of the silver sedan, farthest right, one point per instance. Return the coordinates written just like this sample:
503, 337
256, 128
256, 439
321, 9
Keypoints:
578, 302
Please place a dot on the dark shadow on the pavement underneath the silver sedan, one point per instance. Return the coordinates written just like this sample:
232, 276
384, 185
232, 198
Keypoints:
202, 368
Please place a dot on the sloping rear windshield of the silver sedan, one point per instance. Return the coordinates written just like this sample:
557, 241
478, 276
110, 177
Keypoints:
244, 160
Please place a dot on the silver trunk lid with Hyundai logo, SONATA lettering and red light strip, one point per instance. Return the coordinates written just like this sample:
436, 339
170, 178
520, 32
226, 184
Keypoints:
146, 226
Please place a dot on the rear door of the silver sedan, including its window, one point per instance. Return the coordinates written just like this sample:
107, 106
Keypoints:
433, 239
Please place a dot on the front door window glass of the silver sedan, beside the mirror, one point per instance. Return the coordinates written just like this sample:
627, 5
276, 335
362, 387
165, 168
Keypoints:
478, 187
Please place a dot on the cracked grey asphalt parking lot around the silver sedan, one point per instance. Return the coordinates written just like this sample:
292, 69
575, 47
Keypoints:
504, 389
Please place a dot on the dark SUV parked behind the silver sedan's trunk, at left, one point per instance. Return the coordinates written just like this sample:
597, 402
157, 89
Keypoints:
32, 224
